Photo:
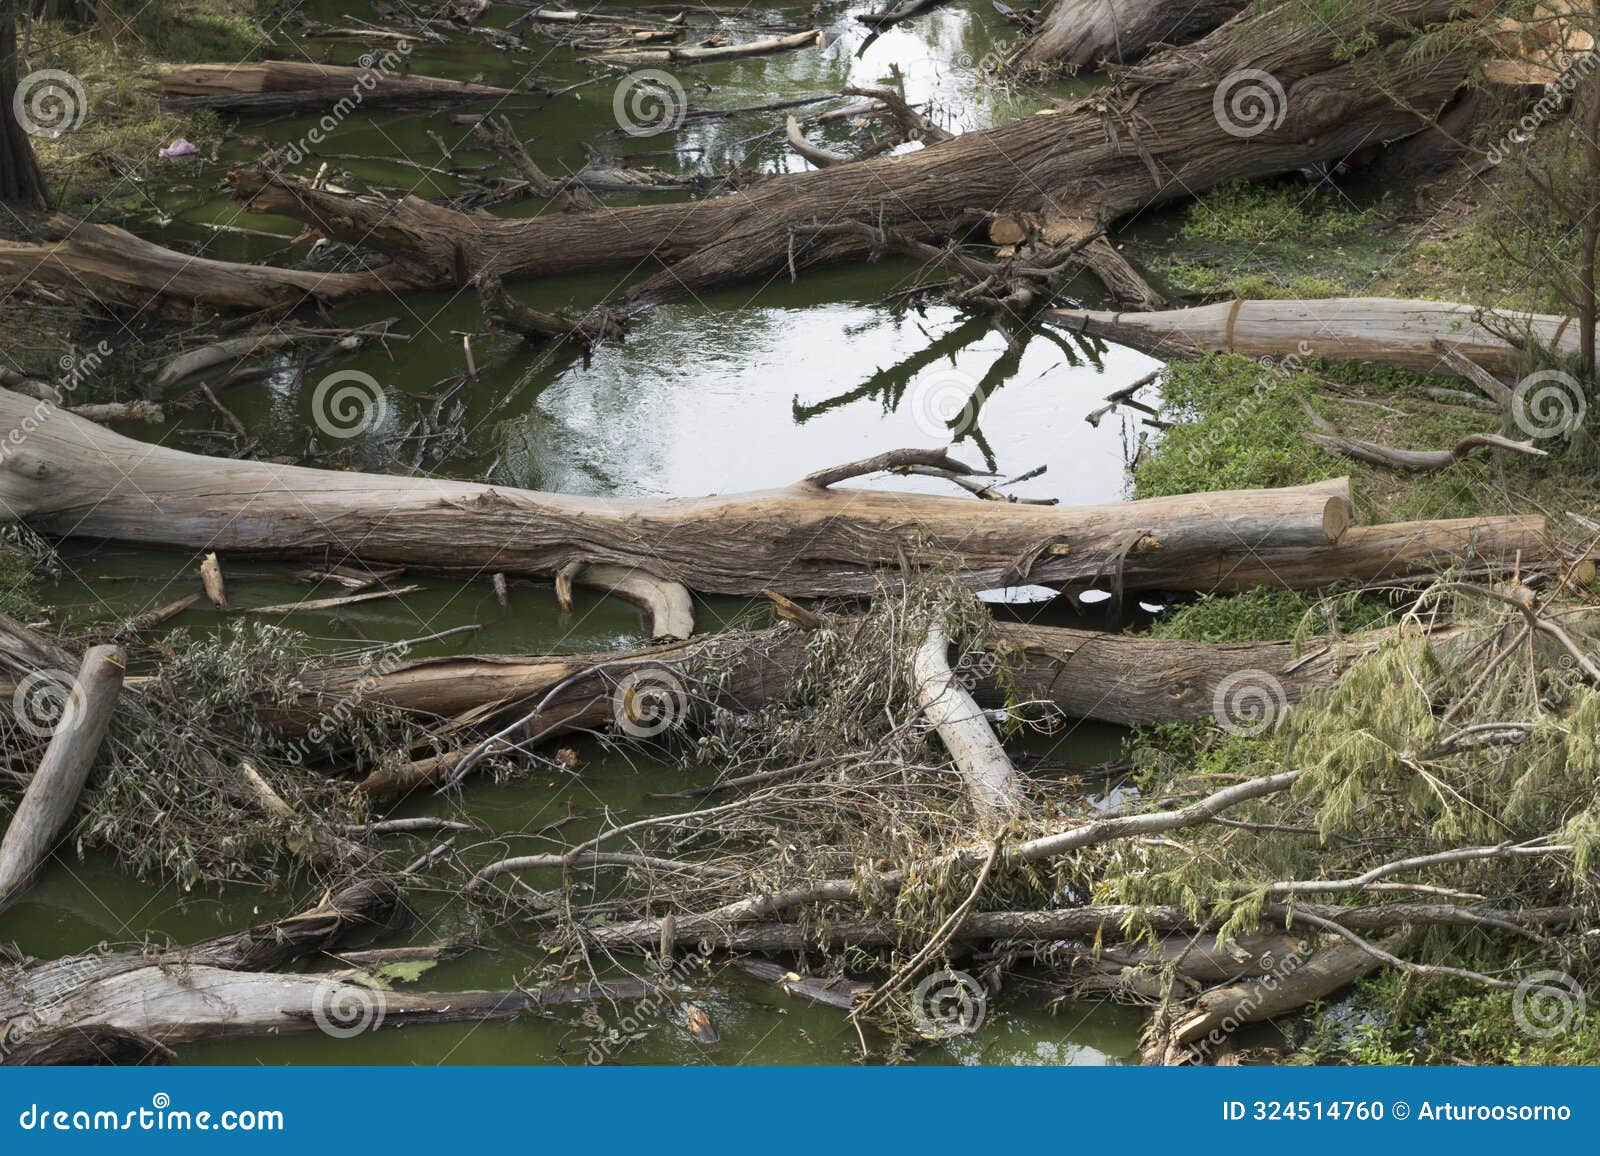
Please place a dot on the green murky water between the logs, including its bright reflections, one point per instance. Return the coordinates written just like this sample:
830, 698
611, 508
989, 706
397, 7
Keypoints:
753, 387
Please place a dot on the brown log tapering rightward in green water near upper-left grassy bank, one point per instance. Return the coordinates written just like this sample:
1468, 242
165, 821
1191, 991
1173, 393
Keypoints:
289, 86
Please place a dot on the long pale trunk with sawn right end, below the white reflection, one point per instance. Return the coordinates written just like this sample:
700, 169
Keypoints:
68, 476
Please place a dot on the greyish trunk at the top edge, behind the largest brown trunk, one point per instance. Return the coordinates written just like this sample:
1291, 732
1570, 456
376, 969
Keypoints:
1082, 34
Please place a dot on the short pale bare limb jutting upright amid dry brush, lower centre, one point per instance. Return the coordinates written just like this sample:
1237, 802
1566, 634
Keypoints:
964, 729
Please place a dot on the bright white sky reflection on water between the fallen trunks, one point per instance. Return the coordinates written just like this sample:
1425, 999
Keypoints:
714, 403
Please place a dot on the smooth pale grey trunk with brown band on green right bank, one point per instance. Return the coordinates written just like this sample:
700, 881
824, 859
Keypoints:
1383, 331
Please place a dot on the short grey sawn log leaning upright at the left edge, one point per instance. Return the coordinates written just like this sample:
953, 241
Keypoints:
54, 792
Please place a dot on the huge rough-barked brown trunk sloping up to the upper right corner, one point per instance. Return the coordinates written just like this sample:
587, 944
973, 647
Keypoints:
1148, 140
